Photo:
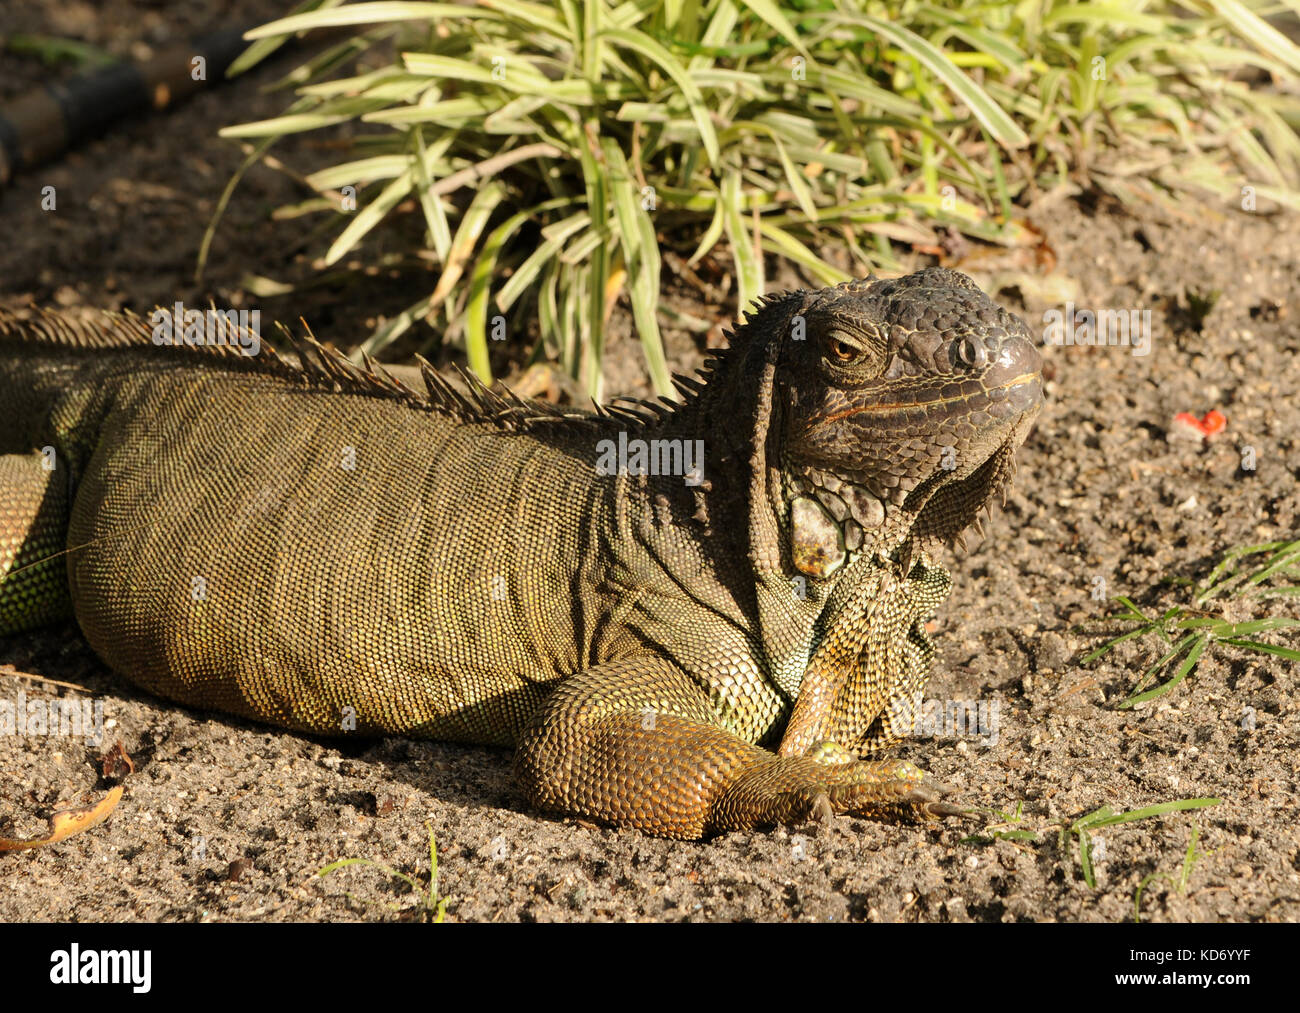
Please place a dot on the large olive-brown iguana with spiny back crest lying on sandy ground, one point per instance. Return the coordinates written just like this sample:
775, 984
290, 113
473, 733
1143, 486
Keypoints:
674, 642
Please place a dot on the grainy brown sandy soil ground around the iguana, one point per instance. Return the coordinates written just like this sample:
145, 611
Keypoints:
229, 821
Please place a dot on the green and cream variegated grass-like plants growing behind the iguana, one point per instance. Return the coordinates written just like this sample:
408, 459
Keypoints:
556, 150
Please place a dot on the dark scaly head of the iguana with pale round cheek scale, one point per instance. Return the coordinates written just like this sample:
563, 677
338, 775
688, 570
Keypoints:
903, 404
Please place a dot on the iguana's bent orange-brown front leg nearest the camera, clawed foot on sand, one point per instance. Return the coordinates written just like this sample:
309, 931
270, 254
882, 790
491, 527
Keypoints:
636, 743
